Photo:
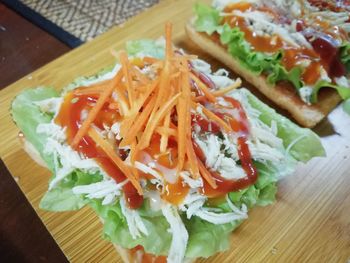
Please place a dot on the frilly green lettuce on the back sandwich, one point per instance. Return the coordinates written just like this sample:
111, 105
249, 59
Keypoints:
208, 20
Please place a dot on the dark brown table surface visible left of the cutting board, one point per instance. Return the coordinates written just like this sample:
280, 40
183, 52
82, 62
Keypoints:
23, 48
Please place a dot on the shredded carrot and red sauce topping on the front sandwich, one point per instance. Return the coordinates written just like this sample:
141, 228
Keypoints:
153, 116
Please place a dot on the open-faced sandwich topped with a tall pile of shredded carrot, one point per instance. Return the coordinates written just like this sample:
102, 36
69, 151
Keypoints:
170, 155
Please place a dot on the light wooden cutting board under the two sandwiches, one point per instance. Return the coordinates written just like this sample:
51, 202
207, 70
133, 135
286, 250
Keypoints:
309, 223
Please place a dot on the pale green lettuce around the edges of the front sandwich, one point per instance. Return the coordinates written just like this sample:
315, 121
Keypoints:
159, 239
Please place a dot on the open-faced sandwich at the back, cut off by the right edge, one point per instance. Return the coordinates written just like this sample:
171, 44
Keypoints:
289, 50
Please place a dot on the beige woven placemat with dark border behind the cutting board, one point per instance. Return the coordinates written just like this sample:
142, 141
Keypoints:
78, 21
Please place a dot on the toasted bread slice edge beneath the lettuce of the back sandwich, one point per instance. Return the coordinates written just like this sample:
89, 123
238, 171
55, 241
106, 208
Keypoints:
281, 94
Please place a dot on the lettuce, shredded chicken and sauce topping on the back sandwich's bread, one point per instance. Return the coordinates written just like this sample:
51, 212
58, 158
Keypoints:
291, 41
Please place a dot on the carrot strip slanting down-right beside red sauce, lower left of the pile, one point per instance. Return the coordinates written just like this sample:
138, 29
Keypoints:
108, 149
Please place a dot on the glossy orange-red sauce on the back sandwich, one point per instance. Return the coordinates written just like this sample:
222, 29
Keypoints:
325, 53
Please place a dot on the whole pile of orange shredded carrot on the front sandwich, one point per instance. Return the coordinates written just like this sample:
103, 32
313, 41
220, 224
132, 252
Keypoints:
147, 105
